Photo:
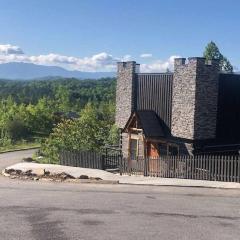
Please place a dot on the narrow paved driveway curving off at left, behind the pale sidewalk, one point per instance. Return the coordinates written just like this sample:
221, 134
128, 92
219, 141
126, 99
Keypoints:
7, 159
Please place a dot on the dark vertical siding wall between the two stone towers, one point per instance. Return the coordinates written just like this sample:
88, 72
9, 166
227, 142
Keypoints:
154, 92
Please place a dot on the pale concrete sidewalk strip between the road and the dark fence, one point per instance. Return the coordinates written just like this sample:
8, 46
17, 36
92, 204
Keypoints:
96, 176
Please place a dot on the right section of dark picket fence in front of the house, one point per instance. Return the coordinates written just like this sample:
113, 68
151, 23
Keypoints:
204, 167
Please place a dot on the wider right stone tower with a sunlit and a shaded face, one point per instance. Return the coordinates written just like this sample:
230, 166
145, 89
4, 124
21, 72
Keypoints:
194, 99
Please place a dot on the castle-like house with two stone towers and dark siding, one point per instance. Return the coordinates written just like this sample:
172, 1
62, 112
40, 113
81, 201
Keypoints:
195, 109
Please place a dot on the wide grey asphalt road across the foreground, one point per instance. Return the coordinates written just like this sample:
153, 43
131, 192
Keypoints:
49, 211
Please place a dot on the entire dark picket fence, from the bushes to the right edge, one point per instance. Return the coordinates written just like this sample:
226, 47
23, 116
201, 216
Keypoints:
201, 167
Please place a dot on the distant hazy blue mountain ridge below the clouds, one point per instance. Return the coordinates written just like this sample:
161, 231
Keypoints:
27, 71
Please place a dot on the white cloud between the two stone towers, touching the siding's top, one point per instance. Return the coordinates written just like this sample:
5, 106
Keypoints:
158, 65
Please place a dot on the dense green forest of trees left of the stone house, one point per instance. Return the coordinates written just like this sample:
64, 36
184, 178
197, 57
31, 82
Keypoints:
59, 113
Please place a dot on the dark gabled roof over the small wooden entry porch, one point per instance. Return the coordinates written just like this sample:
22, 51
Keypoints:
149, 122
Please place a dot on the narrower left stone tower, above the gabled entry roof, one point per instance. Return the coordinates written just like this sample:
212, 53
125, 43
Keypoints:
125, 94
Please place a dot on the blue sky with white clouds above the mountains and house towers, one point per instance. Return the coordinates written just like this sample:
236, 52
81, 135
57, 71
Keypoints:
92, 35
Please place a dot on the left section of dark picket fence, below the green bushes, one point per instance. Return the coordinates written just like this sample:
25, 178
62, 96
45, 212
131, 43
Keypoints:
108, 159
